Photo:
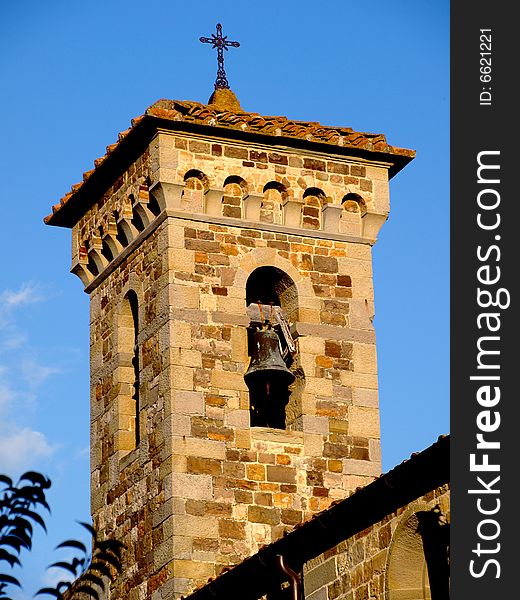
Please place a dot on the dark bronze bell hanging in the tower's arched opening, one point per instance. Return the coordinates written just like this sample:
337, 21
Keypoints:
267, 367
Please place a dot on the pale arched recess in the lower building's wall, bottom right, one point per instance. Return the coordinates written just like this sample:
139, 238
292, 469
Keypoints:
406, 570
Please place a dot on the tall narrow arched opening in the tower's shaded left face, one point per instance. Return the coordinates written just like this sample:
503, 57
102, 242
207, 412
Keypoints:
129, 364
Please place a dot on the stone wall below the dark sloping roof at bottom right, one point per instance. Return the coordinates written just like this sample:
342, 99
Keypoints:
383, 562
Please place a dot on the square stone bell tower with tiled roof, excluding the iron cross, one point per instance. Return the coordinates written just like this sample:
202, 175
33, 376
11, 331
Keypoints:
209, 238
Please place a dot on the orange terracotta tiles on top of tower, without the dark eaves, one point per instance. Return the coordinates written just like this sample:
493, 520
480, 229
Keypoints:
178, 112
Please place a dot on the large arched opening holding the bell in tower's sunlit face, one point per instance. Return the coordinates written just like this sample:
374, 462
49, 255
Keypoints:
274, 375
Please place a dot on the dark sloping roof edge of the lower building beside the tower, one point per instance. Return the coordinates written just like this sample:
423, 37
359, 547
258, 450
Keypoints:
422, 473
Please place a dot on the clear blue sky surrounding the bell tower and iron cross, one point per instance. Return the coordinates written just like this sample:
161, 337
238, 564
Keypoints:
75, 73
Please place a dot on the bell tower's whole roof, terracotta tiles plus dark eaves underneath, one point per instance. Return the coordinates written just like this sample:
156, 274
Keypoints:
224, 120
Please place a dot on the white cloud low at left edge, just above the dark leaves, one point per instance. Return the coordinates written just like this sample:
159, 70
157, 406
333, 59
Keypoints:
23, 449
